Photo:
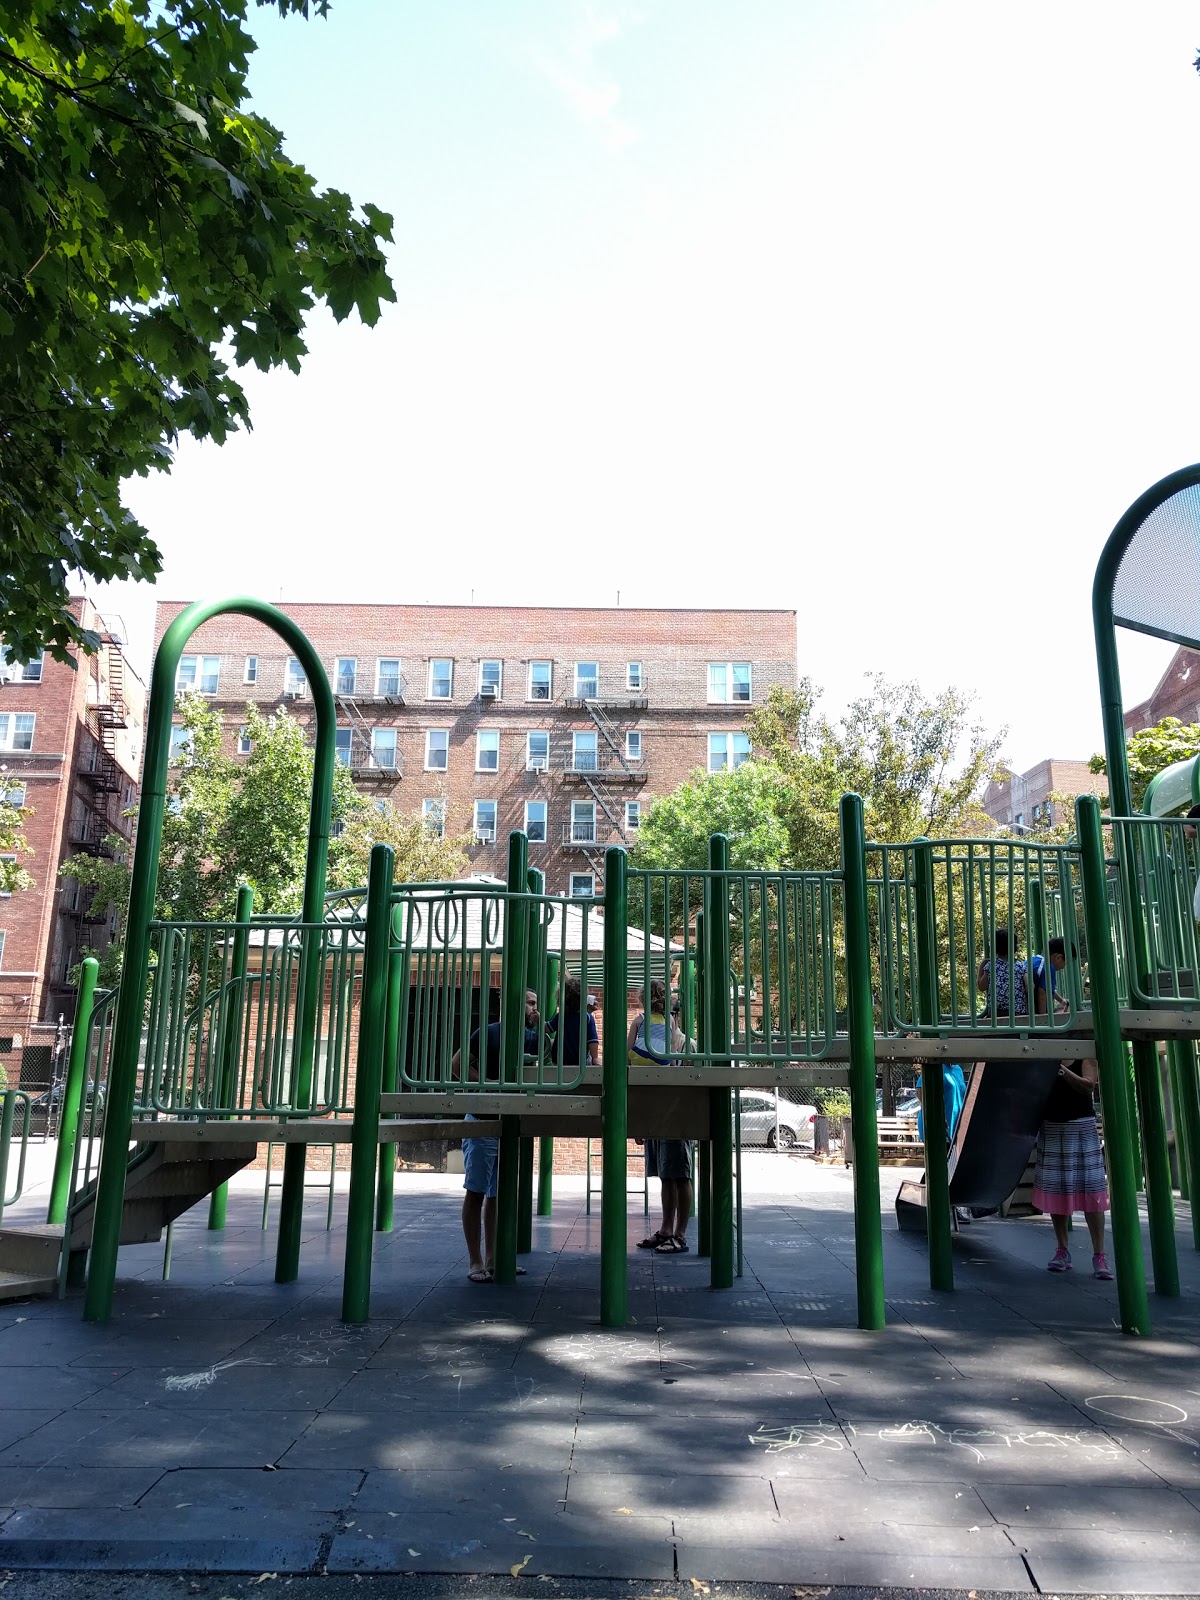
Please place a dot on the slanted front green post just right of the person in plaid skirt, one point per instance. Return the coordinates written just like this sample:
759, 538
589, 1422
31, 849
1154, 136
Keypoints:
1127, 1241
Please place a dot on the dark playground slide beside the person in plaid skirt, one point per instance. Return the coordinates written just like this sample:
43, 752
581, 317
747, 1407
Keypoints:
993, 1143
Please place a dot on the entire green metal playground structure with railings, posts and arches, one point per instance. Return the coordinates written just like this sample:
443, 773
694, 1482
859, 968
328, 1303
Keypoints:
351, 1022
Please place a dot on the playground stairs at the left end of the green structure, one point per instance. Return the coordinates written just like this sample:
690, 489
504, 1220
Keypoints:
164, 1182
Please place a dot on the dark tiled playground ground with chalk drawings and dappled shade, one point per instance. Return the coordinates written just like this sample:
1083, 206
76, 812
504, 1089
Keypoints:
1006, 1438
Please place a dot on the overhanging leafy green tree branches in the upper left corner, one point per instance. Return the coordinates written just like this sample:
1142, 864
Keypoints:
150, 225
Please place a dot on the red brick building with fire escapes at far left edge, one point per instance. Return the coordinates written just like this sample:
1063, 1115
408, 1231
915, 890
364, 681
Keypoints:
71, 748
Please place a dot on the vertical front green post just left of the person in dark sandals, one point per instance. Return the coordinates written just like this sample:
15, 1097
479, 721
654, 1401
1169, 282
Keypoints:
615, 1097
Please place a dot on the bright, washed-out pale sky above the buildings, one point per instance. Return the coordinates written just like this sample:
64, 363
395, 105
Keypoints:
874, 310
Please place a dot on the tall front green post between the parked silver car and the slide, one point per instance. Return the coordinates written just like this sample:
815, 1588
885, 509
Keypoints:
862, 1038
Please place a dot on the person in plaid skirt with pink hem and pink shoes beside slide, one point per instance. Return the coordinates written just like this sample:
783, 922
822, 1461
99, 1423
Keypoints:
1071, 1166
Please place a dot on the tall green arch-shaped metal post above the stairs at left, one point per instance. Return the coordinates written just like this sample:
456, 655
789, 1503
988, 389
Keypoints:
143, 879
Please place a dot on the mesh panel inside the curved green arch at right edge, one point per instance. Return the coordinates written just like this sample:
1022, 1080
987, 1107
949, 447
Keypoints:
1158, 588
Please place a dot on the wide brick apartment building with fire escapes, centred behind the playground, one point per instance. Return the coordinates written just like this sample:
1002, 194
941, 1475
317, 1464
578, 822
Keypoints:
562, 721
